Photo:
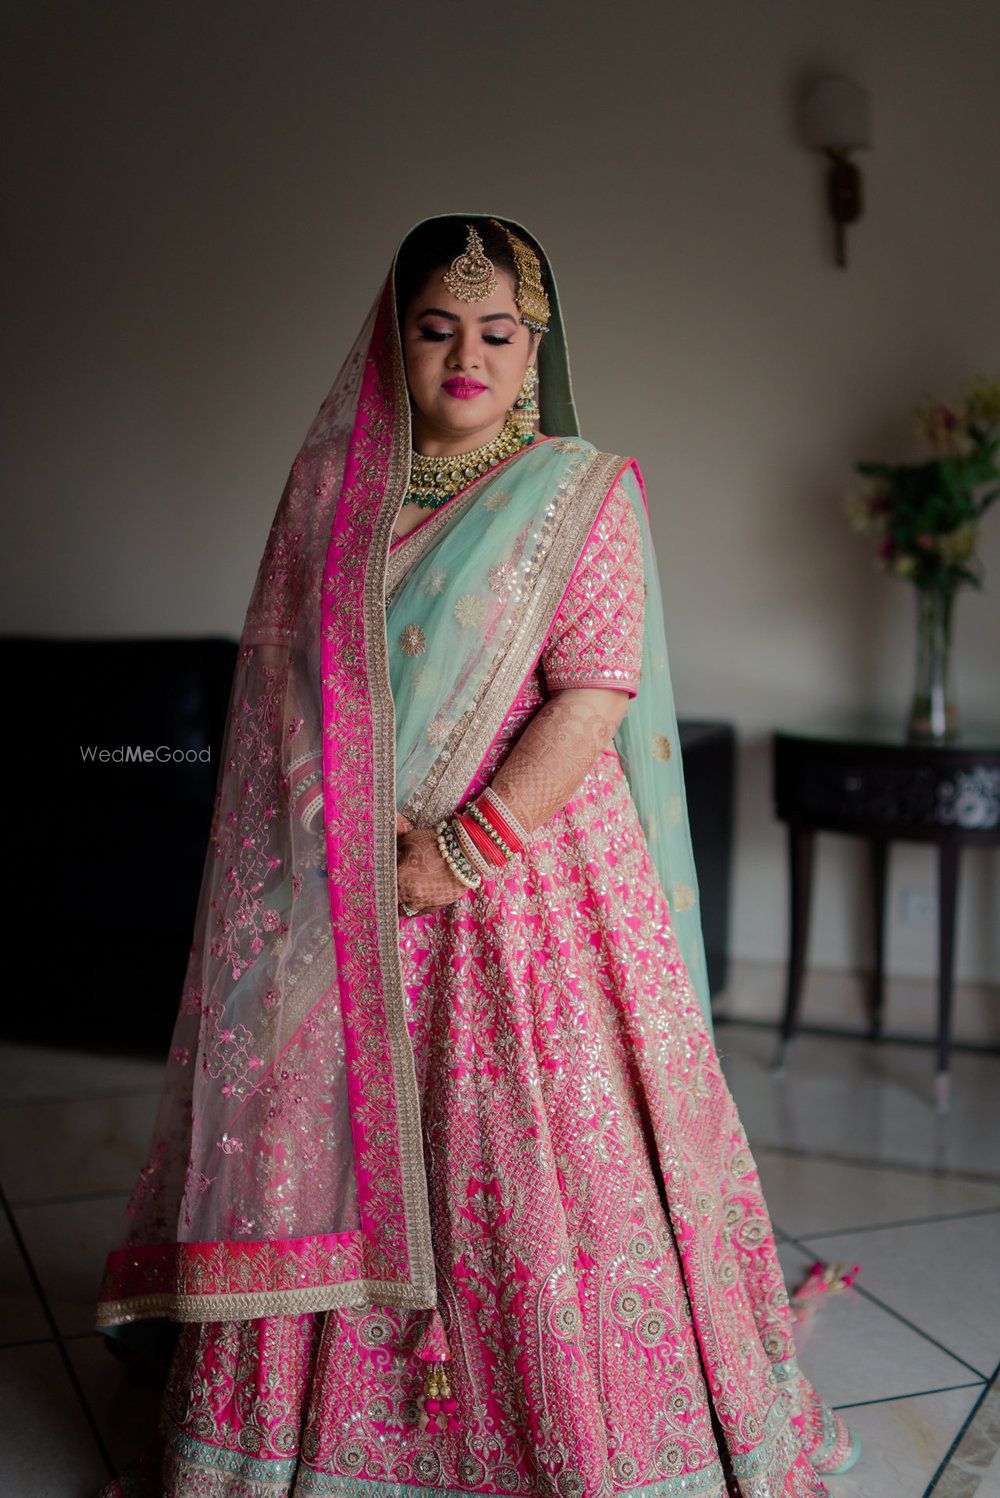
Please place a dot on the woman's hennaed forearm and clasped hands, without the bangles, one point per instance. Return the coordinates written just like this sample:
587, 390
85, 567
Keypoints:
540, 777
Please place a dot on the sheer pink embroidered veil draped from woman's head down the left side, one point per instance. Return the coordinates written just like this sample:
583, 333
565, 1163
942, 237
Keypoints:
287, 1169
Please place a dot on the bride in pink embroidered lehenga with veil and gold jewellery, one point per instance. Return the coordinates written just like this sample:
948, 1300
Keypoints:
447, 1192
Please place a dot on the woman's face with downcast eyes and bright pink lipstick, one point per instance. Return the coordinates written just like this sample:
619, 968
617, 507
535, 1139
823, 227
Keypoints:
465, 362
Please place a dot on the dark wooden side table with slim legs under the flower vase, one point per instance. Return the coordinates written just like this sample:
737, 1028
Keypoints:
865, 778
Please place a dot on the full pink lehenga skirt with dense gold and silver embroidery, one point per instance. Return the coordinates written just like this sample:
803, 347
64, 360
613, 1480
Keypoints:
610, 1292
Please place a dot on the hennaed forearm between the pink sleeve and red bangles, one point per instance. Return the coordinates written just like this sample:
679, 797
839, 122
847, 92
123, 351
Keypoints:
561, 744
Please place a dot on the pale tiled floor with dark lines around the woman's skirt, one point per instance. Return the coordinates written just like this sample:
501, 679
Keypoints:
856, 1165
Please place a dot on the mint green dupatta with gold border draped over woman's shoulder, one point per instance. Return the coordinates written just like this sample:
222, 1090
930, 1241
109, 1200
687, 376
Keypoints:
472, 595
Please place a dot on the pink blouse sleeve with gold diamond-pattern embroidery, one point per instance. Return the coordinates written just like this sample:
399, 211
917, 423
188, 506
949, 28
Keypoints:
597, 637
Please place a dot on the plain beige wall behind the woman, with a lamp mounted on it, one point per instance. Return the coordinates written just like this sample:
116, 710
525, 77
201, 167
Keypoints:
204, 197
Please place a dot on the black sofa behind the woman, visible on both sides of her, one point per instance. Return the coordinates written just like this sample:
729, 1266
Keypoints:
109, 858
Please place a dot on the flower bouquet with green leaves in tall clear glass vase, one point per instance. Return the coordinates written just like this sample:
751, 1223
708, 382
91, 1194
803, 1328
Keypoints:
926, 519
